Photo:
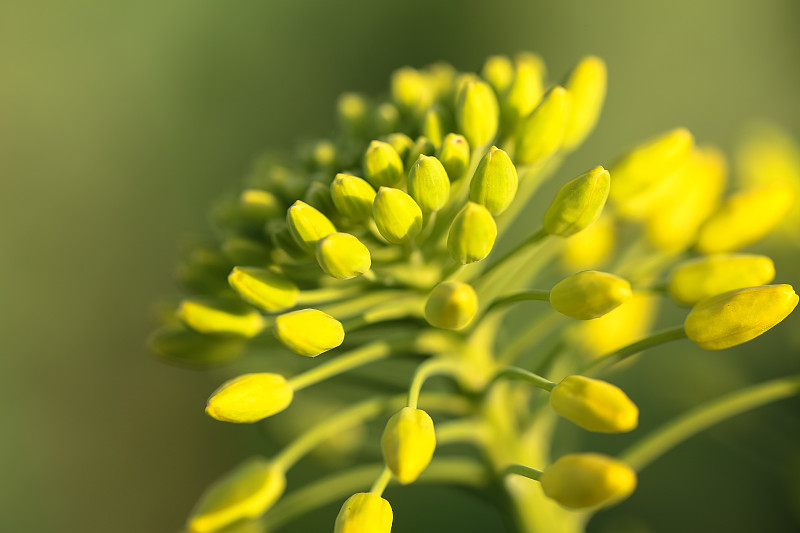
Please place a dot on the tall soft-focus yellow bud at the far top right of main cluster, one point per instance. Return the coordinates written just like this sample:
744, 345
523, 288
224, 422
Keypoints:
587, 85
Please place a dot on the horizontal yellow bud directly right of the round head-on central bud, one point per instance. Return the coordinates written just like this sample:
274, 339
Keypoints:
589, 294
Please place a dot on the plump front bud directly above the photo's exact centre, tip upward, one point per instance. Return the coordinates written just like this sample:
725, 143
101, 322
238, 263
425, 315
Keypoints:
397, 215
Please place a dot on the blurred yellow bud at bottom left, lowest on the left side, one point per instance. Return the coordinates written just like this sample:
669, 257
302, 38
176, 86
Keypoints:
246, 492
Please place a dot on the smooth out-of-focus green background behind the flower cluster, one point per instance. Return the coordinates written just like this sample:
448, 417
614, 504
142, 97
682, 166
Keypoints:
120, 122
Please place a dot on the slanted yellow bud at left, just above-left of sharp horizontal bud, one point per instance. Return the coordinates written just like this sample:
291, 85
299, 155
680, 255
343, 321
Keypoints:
263, 288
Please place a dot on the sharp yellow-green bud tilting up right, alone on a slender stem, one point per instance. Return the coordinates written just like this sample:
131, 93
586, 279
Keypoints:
578, 203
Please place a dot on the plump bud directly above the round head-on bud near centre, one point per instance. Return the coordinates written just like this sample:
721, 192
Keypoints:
472, 234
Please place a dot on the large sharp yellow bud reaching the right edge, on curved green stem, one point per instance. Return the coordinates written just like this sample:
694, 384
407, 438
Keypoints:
737, 316
